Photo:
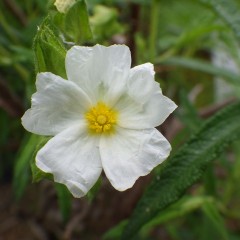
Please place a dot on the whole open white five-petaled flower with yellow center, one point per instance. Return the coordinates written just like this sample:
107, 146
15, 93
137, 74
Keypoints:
102, 118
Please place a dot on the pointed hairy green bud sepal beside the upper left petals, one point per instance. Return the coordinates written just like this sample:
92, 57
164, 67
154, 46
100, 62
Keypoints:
49, 51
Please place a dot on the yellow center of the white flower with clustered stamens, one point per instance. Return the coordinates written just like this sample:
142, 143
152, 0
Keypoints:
101, 118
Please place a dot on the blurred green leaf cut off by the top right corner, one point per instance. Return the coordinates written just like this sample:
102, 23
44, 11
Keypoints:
228, 10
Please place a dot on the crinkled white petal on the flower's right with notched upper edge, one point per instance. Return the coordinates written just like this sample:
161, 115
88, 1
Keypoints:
143, 105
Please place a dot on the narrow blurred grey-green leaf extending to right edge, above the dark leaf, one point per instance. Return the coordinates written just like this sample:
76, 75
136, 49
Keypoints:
206, 67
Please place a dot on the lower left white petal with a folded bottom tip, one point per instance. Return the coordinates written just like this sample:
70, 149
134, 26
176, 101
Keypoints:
73, 158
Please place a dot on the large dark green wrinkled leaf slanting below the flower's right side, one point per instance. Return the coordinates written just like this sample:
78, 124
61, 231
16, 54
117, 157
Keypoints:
186, 166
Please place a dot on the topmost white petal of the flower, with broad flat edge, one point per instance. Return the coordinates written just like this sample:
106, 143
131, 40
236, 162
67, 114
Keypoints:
99, 67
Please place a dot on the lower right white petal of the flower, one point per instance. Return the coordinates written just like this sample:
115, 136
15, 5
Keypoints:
129, 154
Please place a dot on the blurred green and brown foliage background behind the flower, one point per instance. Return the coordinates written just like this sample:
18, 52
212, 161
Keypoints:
194, 46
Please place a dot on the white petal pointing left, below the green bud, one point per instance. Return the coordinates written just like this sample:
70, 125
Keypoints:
56, 105
